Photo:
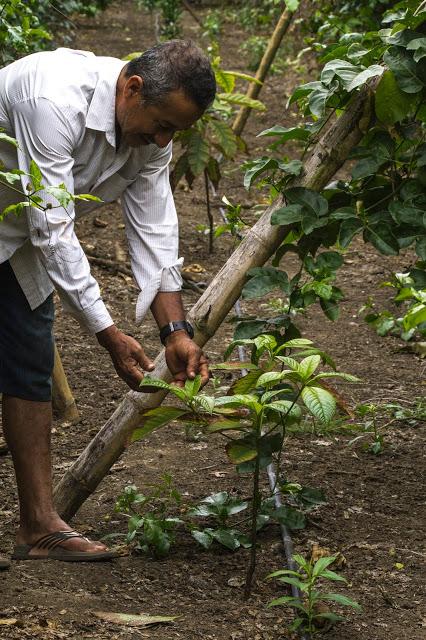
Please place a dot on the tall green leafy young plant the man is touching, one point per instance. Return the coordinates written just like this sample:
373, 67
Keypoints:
254, 415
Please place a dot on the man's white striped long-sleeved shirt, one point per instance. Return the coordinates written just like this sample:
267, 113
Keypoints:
60, 106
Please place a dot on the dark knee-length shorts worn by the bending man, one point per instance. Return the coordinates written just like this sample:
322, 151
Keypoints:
26, 342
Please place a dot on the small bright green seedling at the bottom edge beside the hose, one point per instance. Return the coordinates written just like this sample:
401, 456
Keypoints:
310, 604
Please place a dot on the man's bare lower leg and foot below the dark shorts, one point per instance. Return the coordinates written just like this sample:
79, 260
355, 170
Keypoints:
27, 426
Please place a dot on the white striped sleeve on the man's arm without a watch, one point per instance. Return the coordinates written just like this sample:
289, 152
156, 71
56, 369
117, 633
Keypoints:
46, 134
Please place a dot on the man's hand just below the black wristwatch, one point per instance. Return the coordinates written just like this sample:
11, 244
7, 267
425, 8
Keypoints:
185, 359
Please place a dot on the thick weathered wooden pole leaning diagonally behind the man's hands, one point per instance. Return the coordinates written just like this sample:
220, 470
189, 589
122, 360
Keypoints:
329, 153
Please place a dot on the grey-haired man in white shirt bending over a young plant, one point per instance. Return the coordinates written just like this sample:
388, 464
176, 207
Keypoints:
104, 127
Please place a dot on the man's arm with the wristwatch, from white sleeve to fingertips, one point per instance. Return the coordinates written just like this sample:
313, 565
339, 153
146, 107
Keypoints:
152, 233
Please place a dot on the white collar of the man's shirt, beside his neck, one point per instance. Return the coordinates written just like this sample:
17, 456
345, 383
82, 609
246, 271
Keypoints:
101, 113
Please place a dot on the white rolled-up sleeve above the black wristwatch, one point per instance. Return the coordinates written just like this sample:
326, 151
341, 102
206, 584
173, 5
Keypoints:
152, 231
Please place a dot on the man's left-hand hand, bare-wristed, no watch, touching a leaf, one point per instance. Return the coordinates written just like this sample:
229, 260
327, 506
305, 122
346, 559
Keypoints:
126, 354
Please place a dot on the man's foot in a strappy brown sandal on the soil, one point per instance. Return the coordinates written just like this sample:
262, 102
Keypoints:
58, 546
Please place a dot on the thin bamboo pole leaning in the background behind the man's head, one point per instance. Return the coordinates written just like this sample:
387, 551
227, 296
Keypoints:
265, 64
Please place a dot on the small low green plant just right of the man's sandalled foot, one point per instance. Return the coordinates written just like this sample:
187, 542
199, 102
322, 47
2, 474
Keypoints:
150, 527
